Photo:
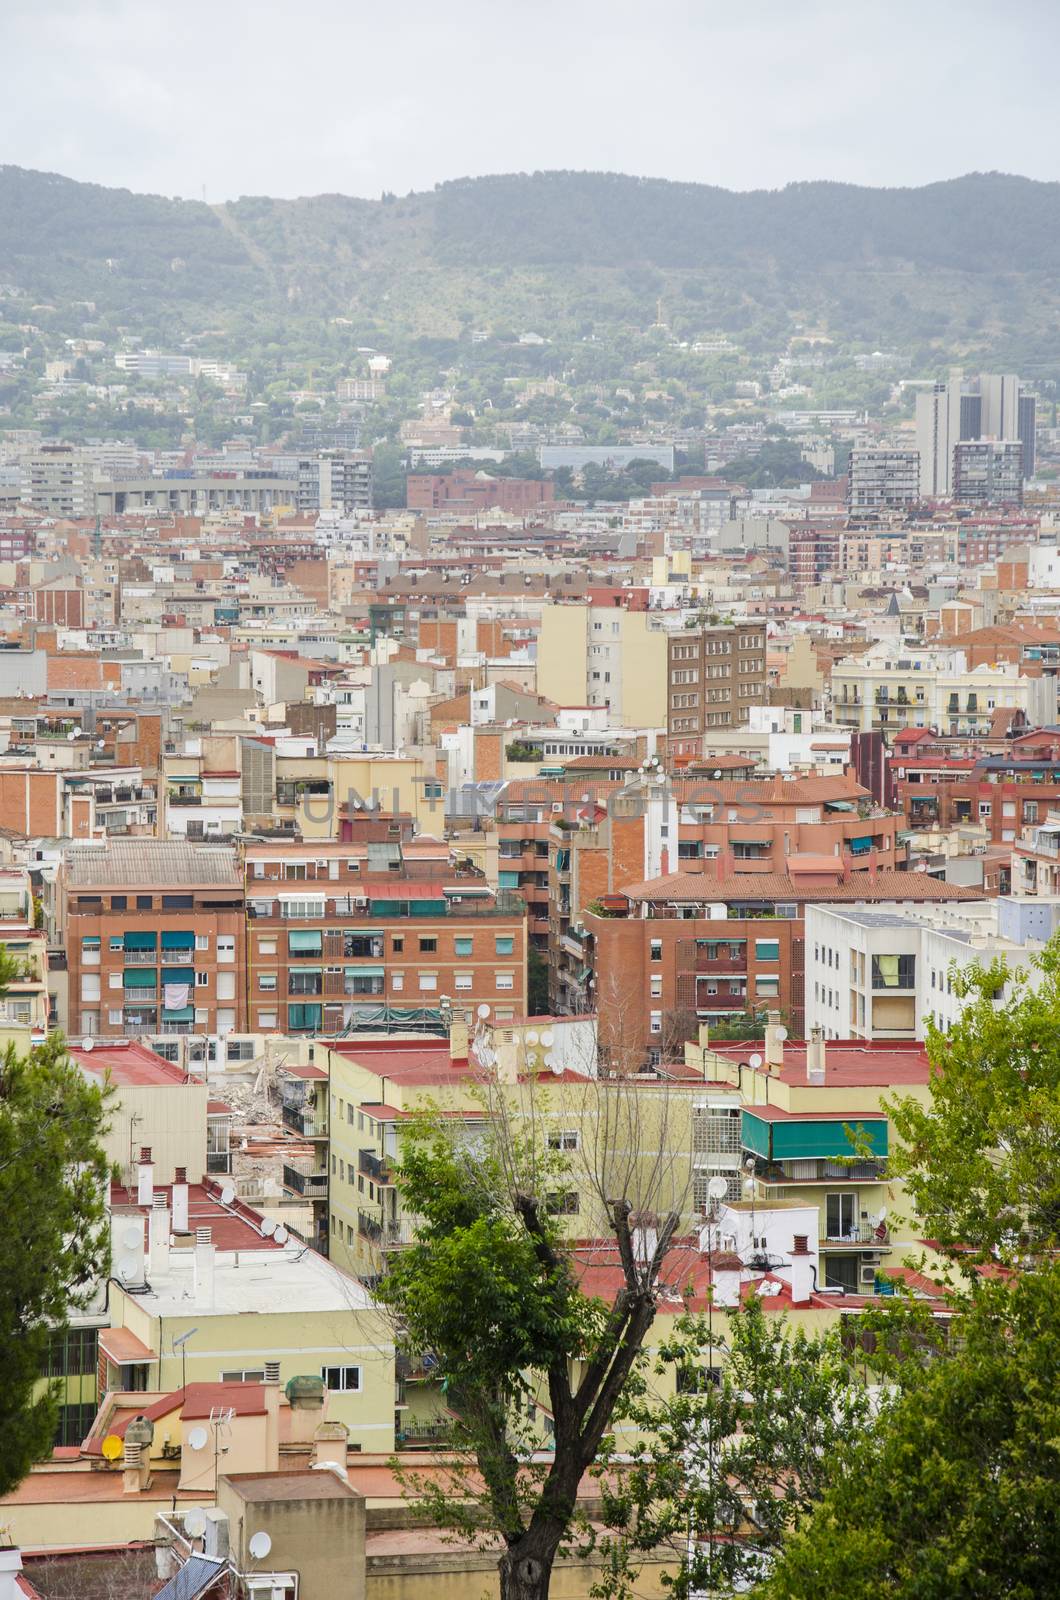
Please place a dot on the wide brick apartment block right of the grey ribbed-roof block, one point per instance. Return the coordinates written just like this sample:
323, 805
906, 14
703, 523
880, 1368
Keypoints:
388, 935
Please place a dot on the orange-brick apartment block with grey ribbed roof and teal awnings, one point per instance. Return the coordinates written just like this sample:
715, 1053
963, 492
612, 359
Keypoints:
155, 938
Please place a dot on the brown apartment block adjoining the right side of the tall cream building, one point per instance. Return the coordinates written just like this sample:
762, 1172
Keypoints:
713, 678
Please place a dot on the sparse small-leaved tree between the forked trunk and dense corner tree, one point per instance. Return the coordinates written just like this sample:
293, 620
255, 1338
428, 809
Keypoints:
734, 1460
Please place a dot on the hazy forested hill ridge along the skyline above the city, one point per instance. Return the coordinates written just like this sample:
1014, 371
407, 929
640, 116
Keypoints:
576, 250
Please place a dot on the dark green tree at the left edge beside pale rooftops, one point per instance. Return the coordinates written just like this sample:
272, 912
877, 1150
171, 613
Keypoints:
54, 1246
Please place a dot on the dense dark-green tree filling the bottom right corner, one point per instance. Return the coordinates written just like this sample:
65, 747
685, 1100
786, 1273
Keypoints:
955, 1495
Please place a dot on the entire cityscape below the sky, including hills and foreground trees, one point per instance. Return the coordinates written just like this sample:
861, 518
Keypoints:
531, 892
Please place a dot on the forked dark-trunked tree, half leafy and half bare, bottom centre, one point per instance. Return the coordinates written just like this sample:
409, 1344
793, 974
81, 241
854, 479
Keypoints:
491, 1290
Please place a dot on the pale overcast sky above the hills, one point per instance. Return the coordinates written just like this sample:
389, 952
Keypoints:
340, 95
